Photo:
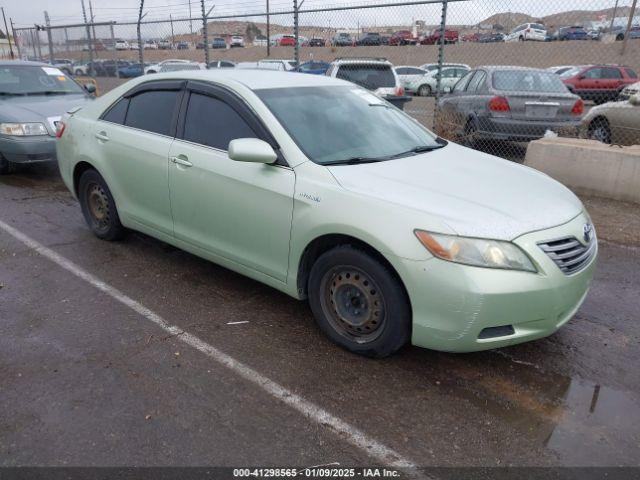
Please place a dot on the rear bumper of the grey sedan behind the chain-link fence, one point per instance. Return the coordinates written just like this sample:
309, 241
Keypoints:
520, 130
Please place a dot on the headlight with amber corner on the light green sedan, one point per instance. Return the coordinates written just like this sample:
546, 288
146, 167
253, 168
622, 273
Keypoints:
476, 251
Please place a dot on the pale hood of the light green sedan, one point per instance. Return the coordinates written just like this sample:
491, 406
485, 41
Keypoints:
475, 194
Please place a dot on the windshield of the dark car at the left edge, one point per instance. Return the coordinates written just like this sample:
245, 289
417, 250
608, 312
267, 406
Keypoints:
34, 80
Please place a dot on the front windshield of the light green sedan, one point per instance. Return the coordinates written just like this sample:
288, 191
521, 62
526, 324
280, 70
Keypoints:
335, 124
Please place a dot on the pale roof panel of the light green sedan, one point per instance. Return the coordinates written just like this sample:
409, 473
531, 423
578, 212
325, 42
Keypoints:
253, 79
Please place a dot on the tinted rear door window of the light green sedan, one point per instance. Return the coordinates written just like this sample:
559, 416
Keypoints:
152, 111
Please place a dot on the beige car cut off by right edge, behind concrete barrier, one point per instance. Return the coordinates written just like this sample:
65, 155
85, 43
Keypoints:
614, 122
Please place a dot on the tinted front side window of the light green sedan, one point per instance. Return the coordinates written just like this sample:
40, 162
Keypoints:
213, 123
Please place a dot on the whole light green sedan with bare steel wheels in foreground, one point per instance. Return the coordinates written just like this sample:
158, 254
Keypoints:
324, 191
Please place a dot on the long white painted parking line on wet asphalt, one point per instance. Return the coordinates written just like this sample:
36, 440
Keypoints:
357, 438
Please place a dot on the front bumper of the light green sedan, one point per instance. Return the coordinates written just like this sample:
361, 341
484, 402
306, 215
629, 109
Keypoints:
453, 303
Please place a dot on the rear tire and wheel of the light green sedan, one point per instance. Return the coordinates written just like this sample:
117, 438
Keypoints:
98, 207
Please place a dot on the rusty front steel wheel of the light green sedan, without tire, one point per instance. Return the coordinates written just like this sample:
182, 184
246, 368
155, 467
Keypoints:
353, 303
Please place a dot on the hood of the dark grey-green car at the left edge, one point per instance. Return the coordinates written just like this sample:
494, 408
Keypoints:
38, 108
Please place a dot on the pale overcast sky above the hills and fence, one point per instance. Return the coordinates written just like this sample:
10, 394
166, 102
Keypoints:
27, 12
